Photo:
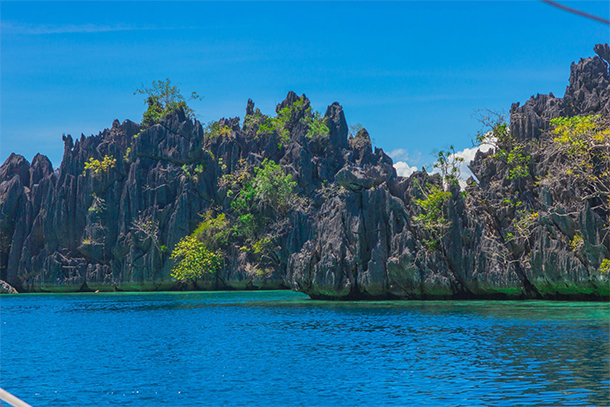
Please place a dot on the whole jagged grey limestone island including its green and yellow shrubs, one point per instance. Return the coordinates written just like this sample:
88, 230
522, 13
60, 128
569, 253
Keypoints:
297, 201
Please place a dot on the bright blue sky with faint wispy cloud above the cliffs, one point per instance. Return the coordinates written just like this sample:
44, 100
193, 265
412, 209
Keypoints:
412, 73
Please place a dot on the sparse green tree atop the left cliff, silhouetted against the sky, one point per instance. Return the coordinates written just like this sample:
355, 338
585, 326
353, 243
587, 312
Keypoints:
163, 98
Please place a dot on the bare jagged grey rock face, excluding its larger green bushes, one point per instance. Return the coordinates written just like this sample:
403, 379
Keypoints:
354, 235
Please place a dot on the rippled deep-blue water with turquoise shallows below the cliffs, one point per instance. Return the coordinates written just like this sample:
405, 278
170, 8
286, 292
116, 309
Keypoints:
280, 348
